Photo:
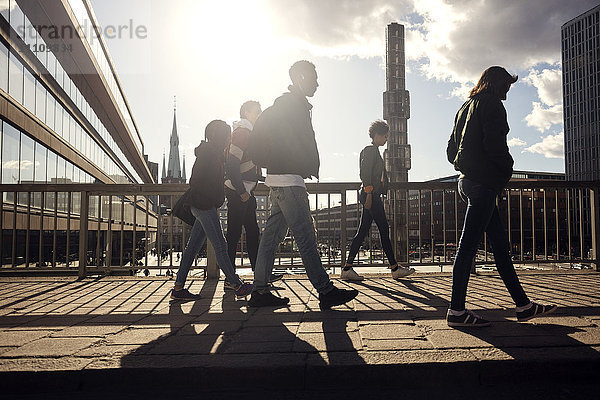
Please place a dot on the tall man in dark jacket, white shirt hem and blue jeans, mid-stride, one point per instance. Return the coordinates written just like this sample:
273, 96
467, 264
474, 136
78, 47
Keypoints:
291, 157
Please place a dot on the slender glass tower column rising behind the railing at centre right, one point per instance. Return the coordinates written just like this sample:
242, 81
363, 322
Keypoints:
396, 111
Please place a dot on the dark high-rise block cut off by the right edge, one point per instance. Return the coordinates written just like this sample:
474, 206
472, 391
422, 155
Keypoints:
581, 95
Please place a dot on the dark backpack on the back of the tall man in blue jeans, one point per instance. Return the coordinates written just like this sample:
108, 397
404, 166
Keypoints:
261, 139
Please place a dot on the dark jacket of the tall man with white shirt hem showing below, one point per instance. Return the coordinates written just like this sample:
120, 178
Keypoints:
287, 130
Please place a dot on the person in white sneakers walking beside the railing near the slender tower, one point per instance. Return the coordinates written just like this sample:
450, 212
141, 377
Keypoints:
374, 180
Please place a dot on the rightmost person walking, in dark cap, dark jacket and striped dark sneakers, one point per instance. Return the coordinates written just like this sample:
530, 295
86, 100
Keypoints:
478, 149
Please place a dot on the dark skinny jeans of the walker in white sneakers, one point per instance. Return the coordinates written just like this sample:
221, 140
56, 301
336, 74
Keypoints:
377, 213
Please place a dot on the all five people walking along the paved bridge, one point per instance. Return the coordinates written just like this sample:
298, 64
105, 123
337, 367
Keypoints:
282, 140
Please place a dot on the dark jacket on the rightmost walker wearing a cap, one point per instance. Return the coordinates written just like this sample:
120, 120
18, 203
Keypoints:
477, 146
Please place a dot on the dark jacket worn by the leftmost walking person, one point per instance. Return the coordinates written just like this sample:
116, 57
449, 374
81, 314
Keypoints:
208, 174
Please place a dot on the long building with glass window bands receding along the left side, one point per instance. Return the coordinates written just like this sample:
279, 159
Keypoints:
64, 117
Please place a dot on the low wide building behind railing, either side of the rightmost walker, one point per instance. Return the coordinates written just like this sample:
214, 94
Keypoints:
433, 221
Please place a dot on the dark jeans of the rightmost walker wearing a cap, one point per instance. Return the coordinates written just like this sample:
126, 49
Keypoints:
482, 216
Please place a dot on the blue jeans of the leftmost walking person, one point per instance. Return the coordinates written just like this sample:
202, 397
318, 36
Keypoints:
207, 225
